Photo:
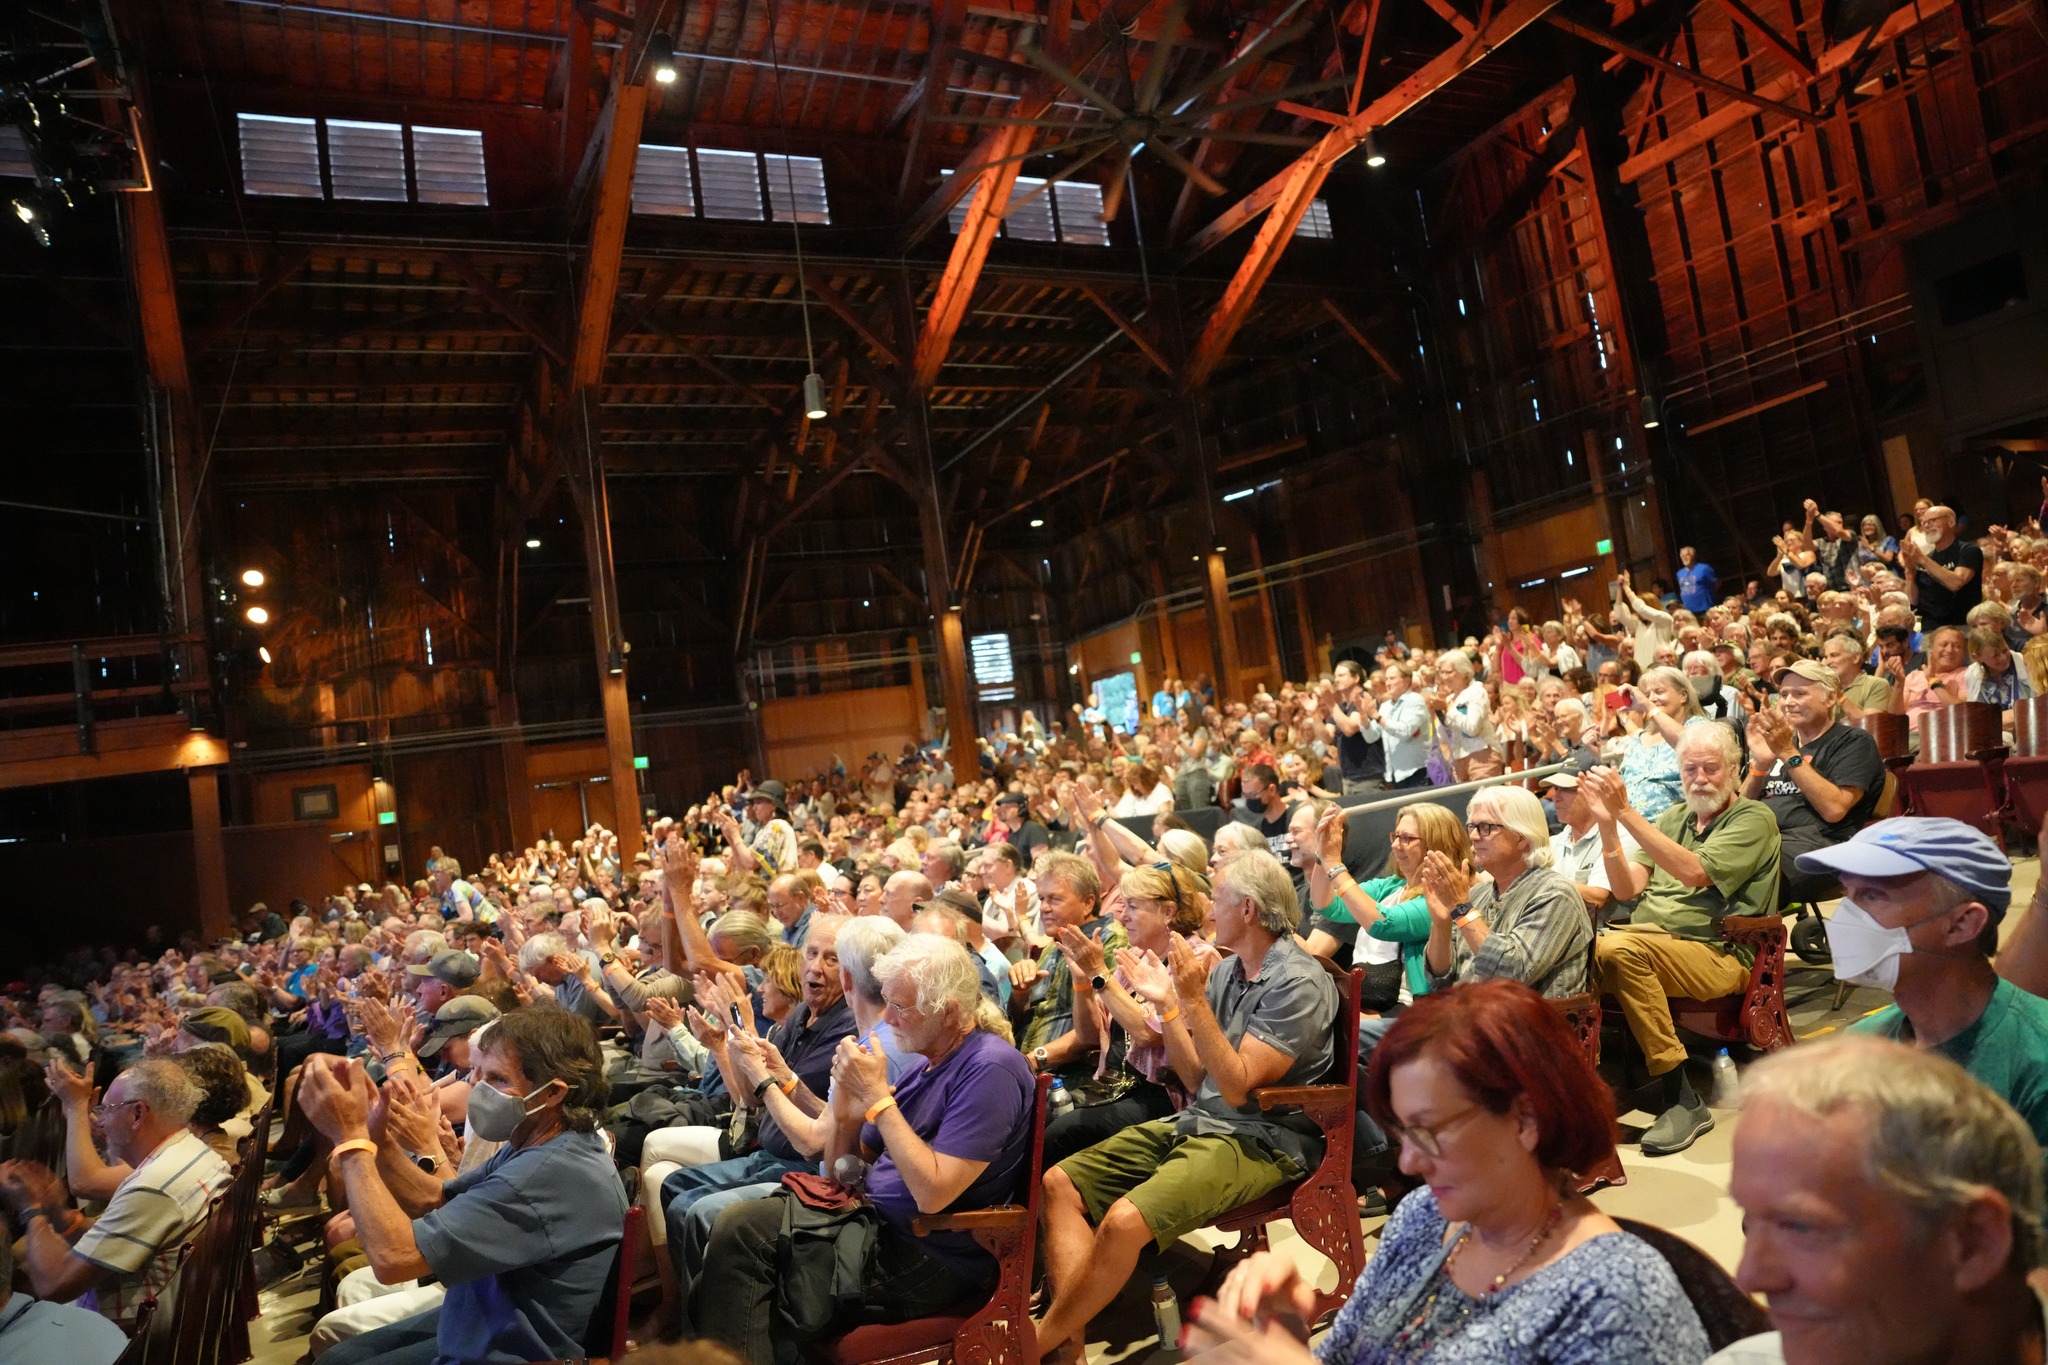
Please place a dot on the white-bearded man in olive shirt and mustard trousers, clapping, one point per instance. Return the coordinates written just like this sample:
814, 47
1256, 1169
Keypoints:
1699, 863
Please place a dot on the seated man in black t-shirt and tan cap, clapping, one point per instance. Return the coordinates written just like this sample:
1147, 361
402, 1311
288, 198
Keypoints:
1820, 777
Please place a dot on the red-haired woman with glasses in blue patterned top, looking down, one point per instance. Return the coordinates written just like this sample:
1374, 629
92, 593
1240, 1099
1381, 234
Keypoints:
1496, 1262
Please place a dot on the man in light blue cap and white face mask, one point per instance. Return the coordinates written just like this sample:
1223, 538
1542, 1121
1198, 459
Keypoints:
1920, 918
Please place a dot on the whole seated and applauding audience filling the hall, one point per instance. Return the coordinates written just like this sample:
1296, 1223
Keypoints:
814, 1014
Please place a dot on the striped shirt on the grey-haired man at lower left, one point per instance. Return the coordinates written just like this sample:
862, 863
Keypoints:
146, 1225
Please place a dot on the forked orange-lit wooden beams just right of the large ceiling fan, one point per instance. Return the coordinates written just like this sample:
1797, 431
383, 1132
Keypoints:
1295, 189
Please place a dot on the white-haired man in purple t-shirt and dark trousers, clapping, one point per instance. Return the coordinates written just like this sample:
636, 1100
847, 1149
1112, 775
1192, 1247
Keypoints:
953, 1137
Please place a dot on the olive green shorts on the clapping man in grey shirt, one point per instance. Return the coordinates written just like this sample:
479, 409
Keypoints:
1177, 1184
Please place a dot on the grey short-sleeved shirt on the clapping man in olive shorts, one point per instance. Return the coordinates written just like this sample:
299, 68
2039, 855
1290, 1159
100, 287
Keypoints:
1291, 1006
